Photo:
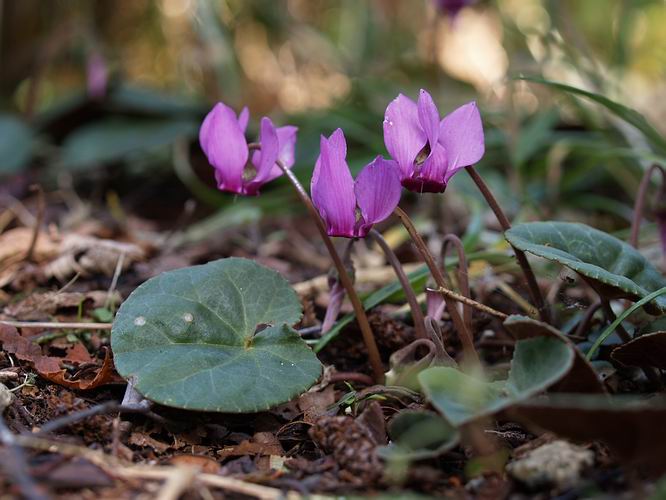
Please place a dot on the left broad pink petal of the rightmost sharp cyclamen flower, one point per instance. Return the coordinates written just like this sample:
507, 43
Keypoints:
403, 135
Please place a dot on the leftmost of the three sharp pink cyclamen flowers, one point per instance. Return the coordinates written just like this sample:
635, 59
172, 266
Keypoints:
222, 138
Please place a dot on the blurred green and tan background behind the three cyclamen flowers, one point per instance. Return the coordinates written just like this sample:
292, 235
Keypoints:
103, 99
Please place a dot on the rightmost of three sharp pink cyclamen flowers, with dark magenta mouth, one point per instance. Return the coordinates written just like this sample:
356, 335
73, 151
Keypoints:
429, 151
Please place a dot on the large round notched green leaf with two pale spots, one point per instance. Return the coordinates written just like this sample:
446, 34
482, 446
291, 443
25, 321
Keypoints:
193, 338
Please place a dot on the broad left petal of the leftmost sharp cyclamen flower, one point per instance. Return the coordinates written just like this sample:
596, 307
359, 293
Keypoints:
224, 143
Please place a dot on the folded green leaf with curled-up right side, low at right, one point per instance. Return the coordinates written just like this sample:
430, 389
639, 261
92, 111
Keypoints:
537, 364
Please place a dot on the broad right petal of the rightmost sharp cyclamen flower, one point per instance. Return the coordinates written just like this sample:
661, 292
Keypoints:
461, 134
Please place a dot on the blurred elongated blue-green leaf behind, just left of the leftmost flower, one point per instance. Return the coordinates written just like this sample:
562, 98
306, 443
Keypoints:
116, 139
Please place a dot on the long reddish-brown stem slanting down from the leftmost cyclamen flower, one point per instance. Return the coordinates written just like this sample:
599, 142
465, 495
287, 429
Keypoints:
363, 323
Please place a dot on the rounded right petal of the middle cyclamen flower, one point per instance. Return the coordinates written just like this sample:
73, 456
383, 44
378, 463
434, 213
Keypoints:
377, 190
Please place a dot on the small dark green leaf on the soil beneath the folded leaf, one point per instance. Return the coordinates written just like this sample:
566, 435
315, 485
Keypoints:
418, 435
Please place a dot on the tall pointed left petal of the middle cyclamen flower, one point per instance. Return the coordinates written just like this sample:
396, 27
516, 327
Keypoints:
332, 187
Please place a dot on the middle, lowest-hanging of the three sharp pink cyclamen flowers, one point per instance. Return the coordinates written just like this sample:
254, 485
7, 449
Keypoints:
350, 207
